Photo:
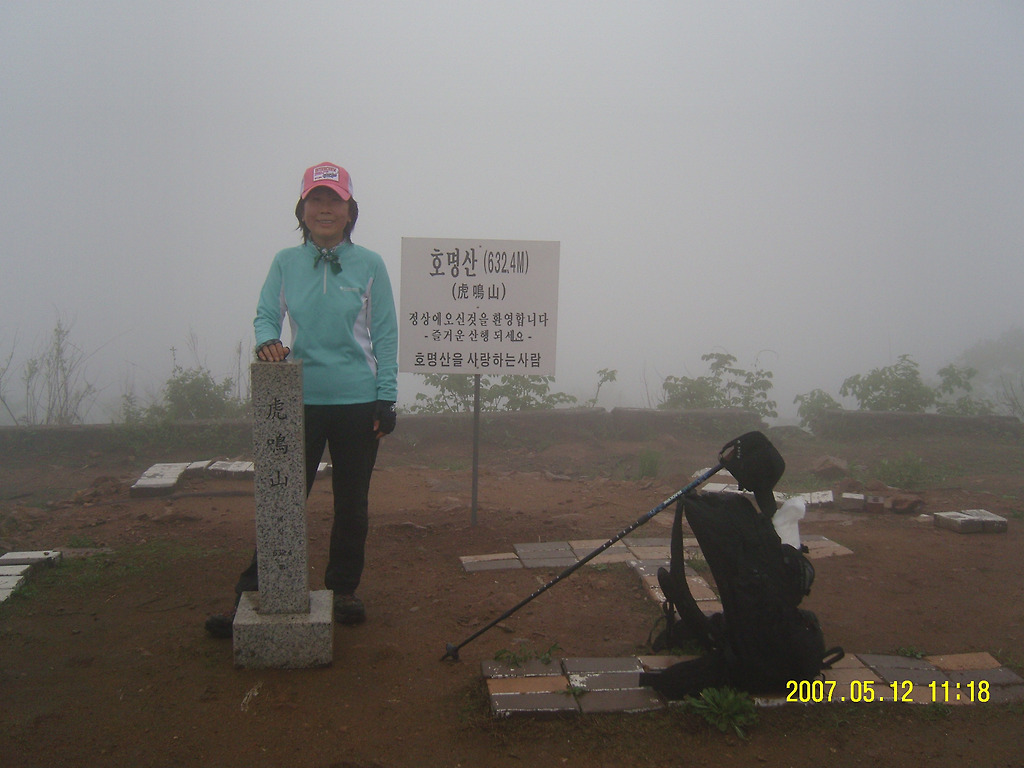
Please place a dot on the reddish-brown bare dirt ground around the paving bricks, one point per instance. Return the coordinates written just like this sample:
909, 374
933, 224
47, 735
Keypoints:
104, 661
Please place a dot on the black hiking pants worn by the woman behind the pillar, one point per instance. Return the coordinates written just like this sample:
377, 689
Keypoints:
349, 433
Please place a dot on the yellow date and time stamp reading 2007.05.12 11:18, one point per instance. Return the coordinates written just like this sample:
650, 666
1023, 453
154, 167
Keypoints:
818, 692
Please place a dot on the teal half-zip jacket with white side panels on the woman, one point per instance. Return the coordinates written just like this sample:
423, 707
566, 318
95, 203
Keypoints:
344, 323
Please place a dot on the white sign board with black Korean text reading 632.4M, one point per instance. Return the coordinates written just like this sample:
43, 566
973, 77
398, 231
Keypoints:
479, 307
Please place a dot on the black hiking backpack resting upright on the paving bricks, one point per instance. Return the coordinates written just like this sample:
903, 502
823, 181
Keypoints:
762, 639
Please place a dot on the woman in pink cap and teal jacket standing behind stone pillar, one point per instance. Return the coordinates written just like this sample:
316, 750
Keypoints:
338, 300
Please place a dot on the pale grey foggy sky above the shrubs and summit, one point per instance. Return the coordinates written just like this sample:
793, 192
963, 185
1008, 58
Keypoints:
816, 188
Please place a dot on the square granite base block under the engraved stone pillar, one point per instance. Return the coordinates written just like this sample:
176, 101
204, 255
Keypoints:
284, 641
